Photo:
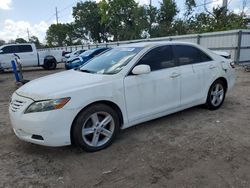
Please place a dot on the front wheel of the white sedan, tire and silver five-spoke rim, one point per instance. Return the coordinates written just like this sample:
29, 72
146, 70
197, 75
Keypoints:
95, 128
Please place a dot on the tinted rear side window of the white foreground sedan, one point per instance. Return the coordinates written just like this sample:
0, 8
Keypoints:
185, 55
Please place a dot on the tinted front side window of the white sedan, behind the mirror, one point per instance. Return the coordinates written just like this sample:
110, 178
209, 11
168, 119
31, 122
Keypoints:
158, 58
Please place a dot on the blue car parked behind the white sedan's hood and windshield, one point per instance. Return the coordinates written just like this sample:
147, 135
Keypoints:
75, 62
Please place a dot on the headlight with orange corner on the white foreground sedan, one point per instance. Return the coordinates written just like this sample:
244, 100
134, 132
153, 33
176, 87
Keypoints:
41, 106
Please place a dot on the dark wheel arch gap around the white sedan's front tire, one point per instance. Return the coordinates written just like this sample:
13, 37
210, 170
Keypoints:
108, 103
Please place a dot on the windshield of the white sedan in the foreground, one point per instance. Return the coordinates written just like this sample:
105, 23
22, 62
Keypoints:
110, 62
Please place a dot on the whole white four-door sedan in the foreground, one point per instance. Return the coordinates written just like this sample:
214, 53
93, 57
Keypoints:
125, 86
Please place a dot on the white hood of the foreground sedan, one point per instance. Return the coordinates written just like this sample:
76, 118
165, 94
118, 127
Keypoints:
59, 84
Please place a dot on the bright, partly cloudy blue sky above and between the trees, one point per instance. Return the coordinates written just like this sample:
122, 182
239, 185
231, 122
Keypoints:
35, 16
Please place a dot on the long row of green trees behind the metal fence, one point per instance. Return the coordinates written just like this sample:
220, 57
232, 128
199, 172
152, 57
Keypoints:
114, 20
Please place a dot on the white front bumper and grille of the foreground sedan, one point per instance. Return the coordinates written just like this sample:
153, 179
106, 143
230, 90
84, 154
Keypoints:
51, 128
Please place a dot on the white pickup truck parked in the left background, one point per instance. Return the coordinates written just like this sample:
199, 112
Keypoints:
29, 56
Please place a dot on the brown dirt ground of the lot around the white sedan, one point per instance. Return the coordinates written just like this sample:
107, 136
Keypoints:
192, 148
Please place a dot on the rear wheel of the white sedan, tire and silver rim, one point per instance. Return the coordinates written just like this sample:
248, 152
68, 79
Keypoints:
216, 95
